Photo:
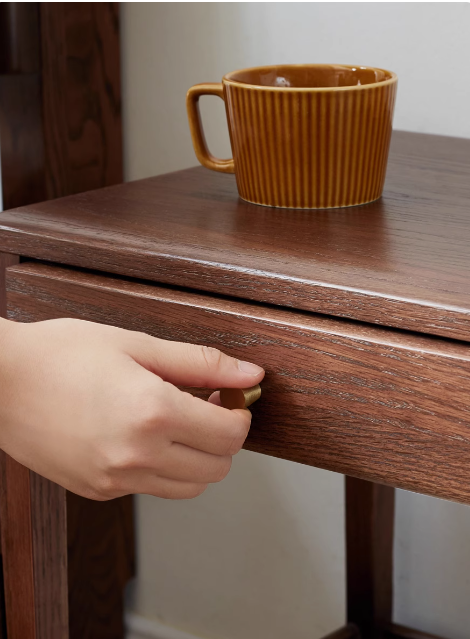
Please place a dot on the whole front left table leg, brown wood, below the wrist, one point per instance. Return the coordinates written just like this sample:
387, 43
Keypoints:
34, 552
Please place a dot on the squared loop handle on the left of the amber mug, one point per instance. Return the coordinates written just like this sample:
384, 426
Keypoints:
197, 132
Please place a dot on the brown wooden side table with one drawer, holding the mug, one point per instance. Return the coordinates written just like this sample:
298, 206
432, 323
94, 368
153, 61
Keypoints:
361, 318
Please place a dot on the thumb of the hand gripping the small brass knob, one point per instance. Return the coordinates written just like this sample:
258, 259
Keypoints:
196, 365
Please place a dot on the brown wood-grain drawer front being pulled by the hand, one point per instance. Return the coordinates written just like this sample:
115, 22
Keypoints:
375, 403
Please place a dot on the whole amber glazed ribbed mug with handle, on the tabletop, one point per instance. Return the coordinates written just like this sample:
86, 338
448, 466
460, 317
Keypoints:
303, 136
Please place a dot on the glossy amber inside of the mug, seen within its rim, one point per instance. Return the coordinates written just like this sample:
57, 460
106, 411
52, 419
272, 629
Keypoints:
309, 76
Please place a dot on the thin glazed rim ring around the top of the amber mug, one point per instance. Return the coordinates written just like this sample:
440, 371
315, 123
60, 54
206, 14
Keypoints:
355, 87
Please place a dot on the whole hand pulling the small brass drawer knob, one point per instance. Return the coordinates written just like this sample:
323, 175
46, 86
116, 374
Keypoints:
94, 409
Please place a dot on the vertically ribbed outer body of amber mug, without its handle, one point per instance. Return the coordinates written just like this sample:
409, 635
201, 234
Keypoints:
310, 148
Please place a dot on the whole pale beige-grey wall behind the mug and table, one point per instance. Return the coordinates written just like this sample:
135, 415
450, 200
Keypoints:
262, 554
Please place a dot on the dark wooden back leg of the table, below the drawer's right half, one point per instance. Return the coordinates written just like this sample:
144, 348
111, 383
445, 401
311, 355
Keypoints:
369, 556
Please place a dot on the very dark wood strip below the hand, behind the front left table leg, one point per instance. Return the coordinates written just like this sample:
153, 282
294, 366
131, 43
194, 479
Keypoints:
101, 561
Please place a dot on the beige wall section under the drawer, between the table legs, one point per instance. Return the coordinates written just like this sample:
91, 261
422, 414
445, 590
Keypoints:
259, 556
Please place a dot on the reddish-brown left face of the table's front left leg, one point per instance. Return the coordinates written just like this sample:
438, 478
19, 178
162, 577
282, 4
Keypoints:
17, 549
